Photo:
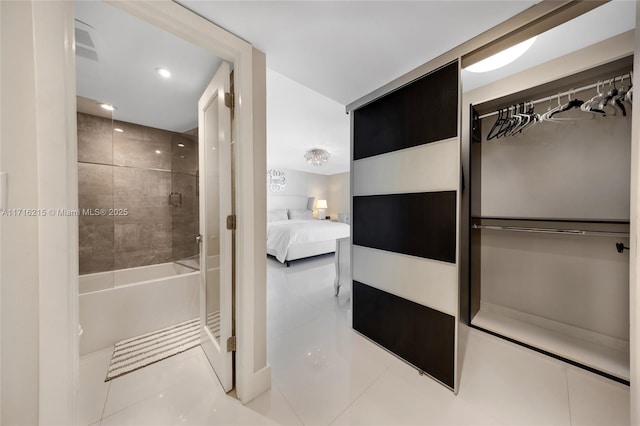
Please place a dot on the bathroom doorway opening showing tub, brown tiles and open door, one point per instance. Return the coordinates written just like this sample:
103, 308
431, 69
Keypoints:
138, 172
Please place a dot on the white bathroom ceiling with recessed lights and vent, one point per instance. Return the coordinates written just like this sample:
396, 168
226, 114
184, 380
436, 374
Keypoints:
128, 52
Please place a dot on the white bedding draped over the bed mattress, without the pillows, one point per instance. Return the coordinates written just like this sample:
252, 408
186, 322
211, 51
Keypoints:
283, 234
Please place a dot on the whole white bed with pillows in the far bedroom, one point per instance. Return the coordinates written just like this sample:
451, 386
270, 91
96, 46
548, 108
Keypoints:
293, 234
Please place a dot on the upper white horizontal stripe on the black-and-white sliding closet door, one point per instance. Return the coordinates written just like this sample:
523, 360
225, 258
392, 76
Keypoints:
430, 167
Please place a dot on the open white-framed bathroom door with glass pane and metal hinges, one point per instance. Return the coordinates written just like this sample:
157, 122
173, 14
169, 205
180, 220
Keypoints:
216, 294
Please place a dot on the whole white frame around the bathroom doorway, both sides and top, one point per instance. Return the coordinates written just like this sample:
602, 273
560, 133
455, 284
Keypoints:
57, 353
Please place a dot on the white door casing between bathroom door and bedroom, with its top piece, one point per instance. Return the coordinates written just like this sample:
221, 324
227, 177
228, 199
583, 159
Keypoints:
253, 374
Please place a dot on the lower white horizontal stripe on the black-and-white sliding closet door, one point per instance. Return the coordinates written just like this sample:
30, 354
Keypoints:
424, 281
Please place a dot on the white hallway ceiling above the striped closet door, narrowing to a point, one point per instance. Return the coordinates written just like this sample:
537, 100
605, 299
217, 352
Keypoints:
346, 49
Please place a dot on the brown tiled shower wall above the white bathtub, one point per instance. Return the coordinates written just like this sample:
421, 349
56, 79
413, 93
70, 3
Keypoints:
135, 170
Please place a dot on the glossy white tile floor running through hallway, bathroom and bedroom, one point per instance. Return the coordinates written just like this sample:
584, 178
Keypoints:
325, 373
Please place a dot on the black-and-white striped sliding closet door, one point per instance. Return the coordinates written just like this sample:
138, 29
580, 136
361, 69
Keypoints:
405, 199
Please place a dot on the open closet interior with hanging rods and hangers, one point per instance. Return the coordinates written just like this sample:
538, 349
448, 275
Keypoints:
550, 211
